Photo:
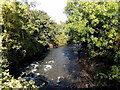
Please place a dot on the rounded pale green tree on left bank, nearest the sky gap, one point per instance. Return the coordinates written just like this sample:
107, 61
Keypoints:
43, 29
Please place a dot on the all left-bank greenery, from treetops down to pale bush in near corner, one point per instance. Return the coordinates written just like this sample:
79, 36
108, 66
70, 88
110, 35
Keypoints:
25, 33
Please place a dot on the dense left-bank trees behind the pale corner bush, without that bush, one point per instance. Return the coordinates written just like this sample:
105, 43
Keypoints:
25, 32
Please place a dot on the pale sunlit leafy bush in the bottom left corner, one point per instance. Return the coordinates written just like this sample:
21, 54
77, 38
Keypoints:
7, 81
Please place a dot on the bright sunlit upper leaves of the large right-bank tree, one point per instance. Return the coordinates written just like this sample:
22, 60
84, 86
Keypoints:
100, 20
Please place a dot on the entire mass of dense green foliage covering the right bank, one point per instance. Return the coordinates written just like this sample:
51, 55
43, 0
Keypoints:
95, 27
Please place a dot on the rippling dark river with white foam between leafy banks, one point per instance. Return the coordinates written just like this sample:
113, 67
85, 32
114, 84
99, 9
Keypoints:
58, 69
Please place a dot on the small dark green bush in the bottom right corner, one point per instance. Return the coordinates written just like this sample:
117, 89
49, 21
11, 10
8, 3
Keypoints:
109, 77
